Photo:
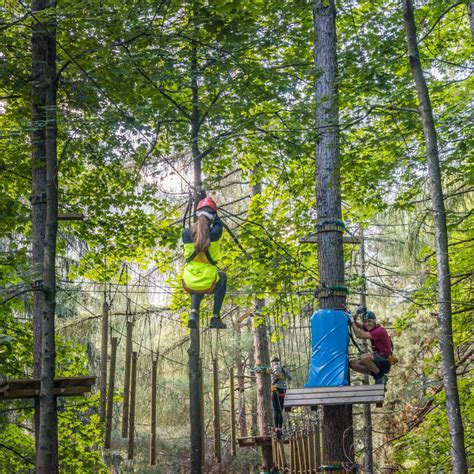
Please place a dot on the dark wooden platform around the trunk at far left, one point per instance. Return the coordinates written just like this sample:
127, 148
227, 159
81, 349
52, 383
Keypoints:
30, 388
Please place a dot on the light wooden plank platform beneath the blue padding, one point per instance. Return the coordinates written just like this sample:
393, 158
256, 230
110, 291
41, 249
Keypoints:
298, 397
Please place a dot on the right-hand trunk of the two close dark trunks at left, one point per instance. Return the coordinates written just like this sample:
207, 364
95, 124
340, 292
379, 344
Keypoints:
46, 458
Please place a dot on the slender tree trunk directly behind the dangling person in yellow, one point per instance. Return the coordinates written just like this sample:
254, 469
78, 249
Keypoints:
195, 370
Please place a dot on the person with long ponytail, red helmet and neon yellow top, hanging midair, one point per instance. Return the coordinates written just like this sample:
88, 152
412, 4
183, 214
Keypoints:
202, 252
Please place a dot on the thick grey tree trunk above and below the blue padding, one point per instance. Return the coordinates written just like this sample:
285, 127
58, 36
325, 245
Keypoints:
337, 419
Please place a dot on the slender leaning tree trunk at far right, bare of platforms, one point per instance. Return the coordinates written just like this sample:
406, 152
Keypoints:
456, 429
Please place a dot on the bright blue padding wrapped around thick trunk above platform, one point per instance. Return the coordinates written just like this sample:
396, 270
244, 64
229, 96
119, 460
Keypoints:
329, 365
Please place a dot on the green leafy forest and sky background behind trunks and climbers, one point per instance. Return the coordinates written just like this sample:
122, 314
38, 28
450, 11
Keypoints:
132, 78
